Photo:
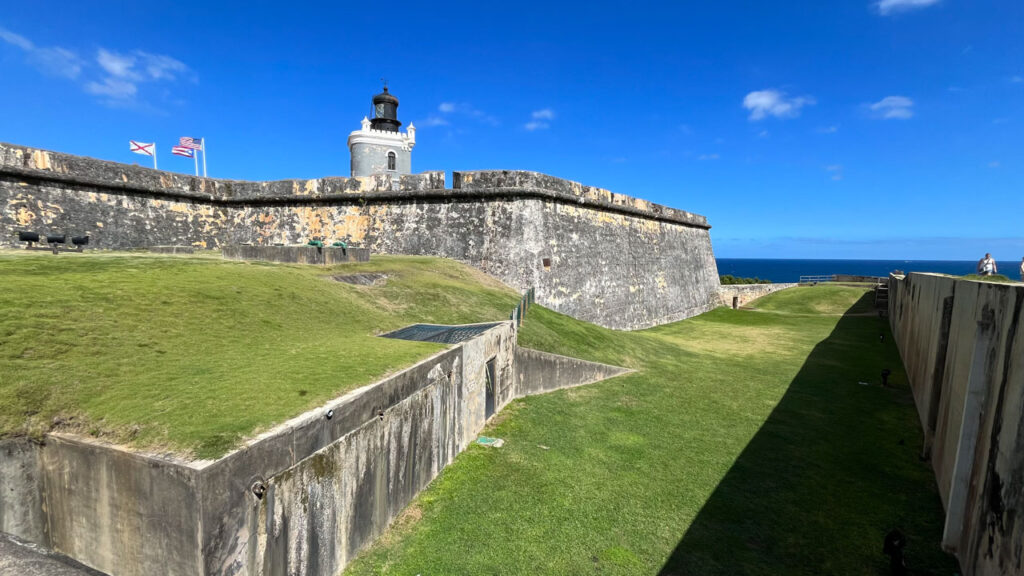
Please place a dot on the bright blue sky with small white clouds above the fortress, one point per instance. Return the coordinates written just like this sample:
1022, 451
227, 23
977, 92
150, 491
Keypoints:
841, 130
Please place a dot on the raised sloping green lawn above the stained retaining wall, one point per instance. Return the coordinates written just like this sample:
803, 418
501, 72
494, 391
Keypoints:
193, 355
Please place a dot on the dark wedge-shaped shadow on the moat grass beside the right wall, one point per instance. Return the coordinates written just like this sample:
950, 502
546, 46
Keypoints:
830, 473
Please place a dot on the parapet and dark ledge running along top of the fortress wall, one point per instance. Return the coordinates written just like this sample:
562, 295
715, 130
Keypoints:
28, 163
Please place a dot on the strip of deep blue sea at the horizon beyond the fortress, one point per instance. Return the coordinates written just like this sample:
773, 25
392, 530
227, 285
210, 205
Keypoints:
792, 270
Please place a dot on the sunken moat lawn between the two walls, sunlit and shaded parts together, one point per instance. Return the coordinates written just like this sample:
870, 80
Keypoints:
744, 444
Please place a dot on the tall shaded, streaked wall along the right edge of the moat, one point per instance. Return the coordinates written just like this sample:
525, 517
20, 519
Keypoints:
963, 345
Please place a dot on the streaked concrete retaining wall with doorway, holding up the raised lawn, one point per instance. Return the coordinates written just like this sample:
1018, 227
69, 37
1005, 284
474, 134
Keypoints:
332, 479
